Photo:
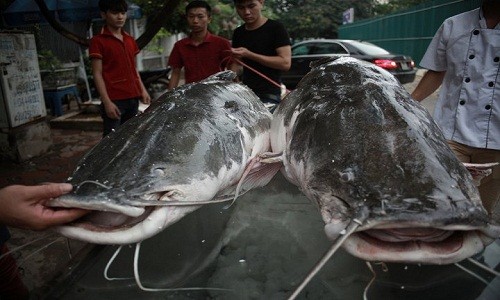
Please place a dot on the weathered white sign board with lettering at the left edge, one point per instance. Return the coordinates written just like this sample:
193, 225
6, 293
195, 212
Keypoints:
21, 84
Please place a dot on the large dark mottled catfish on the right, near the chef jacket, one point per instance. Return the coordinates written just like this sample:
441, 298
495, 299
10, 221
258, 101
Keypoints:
354, 141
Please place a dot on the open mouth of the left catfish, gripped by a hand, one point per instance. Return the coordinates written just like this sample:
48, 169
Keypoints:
119, 223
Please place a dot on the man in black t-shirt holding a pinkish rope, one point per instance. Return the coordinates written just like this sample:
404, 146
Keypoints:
264, 45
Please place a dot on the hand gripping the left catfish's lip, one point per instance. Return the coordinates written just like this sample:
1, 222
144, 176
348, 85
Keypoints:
24, 206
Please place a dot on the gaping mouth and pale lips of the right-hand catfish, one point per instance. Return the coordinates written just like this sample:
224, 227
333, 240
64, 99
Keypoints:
425, 245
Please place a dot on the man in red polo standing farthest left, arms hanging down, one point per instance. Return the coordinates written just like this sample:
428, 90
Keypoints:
116, 78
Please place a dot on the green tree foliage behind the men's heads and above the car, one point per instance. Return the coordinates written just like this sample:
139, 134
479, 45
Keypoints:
302, 18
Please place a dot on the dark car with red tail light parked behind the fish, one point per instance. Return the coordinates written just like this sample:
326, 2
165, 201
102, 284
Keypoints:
303, 53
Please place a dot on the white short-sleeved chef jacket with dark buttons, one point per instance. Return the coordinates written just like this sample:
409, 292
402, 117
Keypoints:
468, 108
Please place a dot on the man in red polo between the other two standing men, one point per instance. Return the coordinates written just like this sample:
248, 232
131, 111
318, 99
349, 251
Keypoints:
202, 53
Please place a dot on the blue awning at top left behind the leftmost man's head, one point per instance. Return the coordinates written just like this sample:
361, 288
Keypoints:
24, 12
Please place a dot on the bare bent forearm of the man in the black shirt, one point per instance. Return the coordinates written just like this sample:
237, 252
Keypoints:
281, 61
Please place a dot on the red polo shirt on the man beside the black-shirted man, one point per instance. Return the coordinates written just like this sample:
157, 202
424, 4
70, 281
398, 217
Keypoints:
203, 60
